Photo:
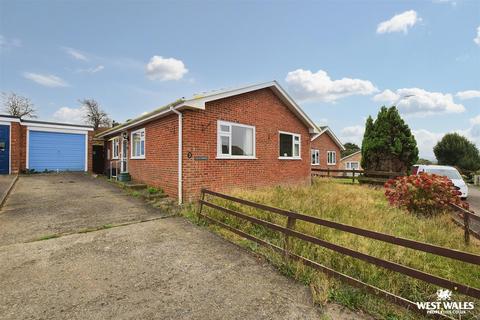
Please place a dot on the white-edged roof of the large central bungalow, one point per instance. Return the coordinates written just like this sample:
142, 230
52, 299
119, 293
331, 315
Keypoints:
198, 101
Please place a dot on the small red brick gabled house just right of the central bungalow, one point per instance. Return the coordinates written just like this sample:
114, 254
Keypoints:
326, 149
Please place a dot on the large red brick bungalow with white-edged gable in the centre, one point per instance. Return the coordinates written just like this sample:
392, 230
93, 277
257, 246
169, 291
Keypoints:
246, 137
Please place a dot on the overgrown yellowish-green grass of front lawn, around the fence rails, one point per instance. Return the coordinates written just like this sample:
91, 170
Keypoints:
363, 207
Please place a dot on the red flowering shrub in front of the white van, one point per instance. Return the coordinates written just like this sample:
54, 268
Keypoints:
425, 194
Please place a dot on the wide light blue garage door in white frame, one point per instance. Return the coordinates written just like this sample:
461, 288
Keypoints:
56, 151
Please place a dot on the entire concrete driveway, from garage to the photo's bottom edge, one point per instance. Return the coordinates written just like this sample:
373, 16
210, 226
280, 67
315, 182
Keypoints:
160, 269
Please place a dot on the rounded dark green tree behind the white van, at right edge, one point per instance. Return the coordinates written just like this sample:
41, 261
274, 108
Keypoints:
456, 150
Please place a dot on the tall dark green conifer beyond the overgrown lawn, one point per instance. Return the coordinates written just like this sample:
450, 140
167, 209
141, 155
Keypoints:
388, 143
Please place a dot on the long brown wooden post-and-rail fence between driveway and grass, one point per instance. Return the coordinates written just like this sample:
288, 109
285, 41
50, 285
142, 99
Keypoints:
289, 232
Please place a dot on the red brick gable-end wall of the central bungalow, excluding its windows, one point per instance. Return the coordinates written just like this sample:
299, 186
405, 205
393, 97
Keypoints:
268, 114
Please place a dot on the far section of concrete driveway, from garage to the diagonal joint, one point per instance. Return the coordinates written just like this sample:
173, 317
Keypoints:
43, 205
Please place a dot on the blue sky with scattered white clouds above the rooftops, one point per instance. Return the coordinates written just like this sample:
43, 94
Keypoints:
340, 60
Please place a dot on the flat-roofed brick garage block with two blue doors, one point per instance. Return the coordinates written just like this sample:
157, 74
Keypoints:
43, 146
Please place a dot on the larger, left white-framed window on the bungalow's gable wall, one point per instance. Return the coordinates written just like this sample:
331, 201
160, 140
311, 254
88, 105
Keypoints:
235, 141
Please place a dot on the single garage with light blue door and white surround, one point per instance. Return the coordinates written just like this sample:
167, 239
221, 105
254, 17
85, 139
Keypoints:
56, 147
